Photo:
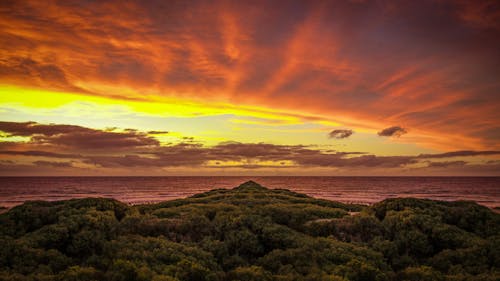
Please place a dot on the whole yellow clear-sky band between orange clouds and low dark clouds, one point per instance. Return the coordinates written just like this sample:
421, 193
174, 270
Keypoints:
224, 122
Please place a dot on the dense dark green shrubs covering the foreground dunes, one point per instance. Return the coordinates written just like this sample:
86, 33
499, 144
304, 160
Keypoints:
249, 233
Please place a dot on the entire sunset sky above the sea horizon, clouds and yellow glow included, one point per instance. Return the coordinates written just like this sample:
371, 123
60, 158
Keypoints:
335, 88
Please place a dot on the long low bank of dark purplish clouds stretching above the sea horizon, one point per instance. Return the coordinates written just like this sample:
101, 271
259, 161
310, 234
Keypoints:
132, 148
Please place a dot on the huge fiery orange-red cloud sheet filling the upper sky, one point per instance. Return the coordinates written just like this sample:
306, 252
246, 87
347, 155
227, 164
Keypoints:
295, 58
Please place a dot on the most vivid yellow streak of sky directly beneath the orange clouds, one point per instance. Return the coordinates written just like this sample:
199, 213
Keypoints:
153, 105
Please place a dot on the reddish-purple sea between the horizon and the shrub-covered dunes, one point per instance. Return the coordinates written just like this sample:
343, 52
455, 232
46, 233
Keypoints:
137, 190
